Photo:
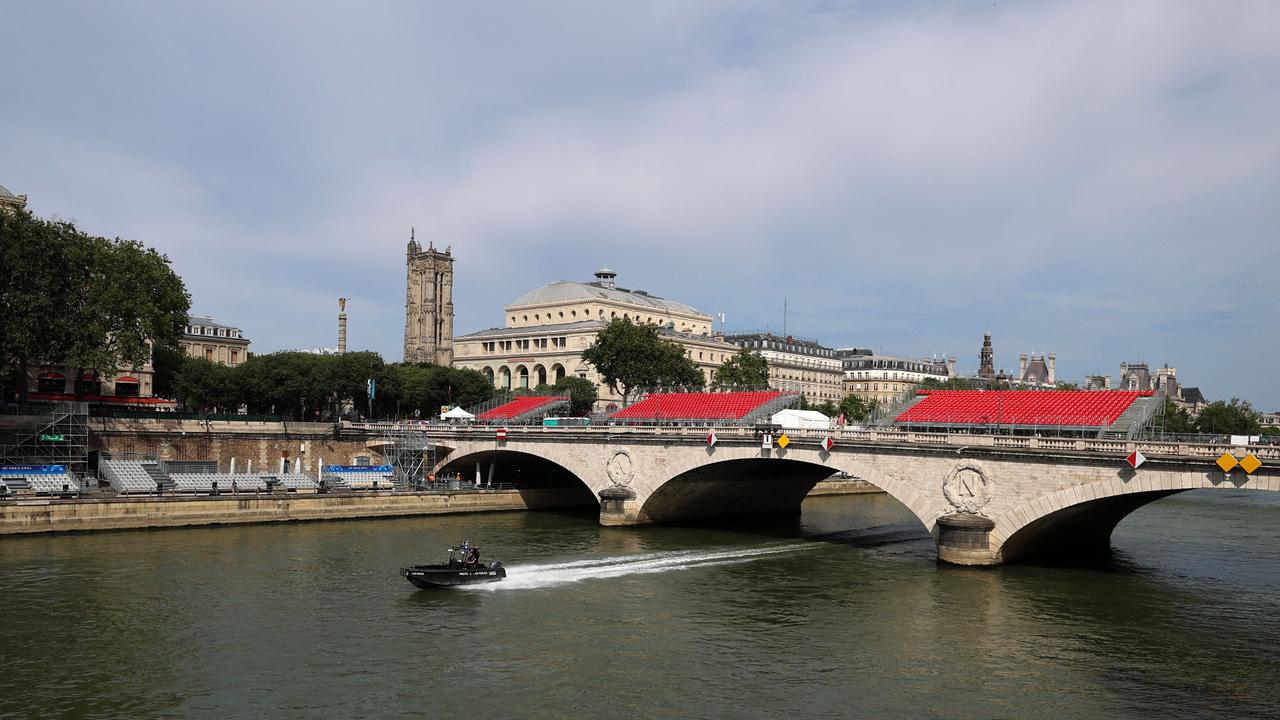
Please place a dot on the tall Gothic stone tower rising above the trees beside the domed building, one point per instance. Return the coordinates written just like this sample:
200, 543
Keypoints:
429, 306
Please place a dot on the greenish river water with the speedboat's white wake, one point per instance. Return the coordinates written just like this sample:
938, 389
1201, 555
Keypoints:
843, 613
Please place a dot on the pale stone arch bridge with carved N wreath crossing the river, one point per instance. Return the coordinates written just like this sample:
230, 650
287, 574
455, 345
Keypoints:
985, 499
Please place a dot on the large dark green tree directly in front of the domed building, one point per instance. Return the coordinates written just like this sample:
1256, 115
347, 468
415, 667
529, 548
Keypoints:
632, 357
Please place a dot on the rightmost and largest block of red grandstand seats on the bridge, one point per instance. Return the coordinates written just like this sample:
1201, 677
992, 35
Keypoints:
1094, 409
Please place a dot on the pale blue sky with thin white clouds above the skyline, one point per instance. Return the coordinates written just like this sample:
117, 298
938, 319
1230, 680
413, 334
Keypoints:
1095, 180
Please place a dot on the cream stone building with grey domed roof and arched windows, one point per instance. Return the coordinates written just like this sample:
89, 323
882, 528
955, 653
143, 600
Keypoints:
547, 330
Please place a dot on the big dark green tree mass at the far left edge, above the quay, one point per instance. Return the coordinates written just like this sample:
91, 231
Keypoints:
98, 306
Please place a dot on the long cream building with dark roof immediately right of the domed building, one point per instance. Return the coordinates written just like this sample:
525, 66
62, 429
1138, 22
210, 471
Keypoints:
798, 366
